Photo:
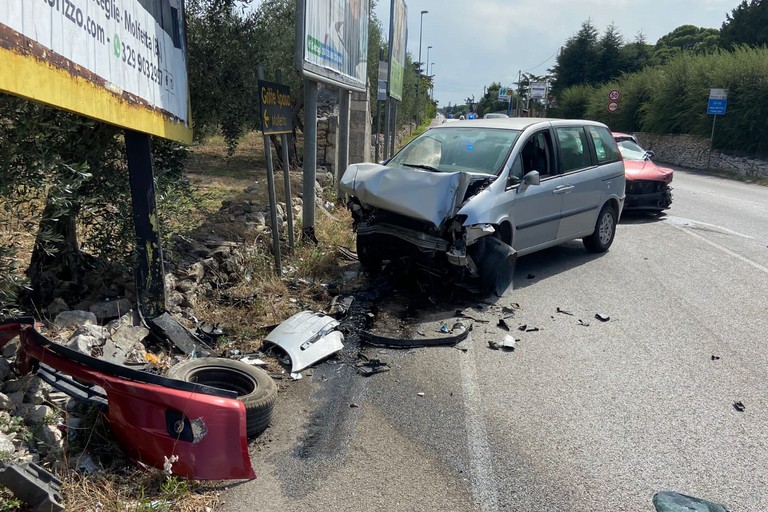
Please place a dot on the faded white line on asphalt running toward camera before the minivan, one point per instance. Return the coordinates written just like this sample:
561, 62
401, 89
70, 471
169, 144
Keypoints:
484, 485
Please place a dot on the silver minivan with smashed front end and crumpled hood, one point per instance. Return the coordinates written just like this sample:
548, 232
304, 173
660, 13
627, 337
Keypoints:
463, 200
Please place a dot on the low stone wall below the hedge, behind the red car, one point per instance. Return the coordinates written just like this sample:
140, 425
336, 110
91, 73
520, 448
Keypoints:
693, 152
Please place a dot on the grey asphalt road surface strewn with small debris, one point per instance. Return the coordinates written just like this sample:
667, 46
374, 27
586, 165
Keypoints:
592, 417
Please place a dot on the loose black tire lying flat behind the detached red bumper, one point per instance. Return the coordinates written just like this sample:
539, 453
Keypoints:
254, 387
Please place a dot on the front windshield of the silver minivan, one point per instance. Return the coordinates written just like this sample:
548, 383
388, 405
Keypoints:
465, 149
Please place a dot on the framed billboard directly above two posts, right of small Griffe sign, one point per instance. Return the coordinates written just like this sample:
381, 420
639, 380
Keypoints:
334, 42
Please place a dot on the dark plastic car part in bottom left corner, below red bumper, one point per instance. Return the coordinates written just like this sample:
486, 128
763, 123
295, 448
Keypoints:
33, 485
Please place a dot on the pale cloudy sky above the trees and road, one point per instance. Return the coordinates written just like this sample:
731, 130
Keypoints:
477, 42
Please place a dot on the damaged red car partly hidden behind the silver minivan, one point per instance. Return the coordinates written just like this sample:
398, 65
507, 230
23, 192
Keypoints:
647, 184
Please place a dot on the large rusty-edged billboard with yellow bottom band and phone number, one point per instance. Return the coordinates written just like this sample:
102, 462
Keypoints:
119, 61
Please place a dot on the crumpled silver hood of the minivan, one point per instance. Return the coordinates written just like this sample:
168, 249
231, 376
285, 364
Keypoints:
422, 195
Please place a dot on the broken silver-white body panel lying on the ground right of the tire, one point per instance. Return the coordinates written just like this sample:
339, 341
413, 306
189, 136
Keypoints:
307, 338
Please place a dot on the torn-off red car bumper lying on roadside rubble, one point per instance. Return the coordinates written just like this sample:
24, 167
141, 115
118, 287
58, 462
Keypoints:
153, 418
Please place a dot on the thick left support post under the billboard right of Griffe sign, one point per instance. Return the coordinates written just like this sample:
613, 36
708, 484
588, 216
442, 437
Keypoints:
310, 160
